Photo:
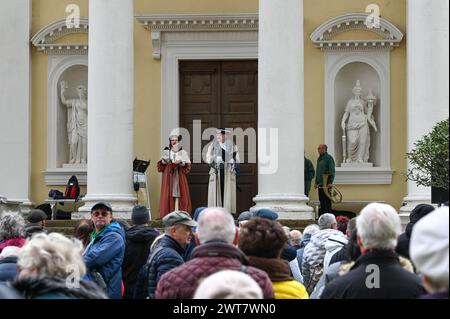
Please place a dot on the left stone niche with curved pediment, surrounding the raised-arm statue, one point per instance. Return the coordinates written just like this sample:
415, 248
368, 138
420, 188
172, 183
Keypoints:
67, 61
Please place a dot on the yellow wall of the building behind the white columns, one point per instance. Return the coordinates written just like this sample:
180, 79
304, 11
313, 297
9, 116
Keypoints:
148, 86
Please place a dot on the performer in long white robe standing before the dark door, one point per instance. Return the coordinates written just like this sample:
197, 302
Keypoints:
223, 159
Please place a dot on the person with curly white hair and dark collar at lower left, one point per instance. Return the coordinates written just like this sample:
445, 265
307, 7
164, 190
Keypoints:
50, 267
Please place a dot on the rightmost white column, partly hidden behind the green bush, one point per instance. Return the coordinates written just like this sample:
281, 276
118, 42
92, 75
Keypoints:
428, 79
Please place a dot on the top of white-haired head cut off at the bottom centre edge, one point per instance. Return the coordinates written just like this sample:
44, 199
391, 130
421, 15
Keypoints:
228, 284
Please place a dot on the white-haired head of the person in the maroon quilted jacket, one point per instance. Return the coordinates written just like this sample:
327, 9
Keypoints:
216, 223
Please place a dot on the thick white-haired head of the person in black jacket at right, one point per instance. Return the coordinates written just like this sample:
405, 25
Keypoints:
378, 226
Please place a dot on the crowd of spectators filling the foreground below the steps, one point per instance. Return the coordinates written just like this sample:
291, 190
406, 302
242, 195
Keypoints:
211, 256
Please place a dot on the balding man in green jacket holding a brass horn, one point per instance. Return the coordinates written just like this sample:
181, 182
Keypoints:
325, 165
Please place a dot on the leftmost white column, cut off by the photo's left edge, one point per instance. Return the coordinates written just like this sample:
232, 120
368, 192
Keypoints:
15, 110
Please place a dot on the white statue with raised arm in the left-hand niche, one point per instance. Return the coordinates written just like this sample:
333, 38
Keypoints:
76, 124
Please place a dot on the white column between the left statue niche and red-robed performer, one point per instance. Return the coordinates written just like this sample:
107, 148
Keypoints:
111, 92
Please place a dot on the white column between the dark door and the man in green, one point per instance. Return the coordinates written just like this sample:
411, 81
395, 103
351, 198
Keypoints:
281, 106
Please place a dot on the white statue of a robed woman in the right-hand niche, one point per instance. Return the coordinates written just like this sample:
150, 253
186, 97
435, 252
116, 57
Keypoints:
355, 125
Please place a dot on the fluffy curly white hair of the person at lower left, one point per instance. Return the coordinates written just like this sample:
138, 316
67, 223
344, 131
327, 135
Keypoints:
52, 255
